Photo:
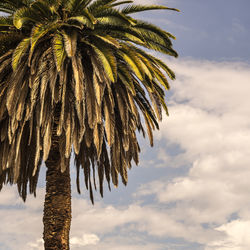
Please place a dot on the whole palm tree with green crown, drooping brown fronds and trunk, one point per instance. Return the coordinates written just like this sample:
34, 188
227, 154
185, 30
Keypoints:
75, 74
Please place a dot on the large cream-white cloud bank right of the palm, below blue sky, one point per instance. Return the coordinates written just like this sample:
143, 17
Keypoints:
209, 120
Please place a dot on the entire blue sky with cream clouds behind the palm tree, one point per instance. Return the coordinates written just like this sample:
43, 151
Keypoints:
191, 190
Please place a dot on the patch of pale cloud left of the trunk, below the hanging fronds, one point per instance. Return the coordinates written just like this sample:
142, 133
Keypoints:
21, 223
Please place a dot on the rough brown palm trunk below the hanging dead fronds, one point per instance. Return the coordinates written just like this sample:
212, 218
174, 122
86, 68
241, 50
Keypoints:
57, 205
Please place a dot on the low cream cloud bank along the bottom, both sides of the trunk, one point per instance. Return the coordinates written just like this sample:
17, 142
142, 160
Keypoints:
99, 227
